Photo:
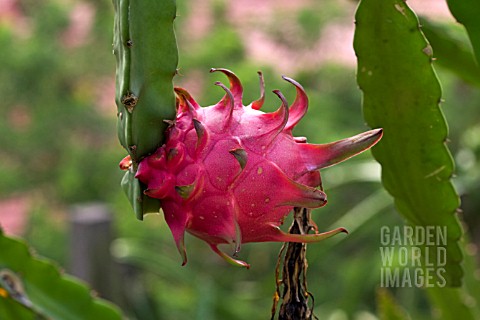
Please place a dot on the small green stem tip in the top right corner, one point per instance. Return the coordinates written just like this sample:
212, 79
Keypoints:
467, 12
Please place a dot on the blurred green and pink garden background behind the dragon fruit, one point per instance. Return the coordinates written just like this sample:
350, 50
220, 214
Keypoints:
59, 149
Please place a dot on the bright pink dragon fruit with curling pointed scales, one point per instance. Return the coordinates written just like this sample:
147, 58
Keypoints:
230, 174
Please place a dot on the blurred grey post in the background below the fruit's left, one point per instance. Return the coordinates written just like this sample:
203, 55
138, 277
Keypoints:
90, 239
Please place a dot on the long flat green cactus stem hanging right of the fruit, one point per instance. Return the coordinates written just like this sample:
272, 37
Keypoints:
402, 95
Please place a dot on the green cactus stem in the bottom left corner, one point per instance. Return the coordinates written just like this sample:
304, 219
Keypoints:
33, 288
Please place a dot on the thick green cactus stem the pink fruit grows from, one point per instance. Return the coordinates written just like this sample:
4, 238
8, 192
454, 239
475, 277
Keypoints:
146, 53
